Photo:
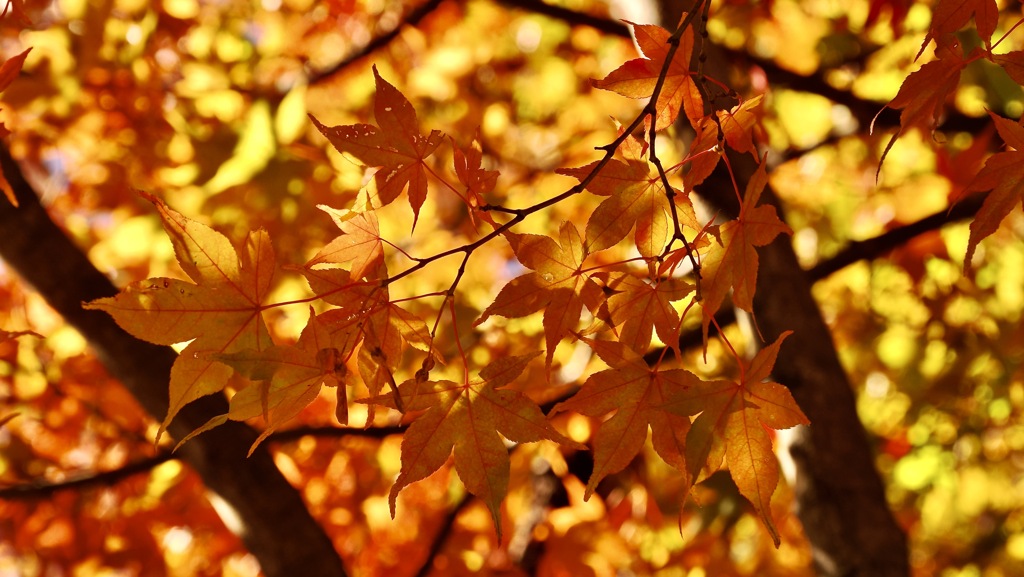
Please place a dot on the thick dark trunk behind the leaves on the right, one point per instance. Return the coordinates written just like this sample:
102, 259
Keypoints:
840, 497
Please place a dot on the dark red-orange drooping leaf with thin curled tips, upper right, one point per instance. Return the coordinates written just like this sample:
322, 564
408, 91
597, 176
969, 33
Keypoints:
923, 96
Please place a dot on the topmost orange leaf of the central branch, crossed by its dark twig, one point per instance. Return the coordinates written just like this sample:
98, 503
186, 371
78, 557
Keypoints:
636, 78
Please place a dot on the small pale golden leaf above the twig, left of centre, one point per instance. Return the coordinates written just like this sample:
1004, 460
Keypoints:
360, 243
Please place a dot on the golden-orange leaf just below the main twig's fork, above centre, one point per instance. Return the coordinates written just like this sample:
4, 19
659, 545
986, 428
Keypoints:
636, 199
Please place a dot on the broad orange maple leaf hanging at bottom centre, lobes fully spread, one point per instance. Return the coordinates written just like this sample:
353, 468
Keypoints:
471, 419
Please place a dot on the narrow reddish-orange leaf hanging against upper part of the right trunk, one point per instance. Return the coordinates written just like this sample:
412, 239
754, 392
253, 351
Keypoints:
733, 264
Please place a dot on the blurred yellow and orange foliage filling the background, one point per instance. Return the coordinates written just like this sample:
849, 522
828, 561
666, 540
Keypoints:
205, 104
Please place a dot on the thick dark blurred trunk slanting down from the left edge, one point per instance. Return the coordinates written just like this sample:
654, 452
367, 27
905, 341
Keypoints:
276, 525
